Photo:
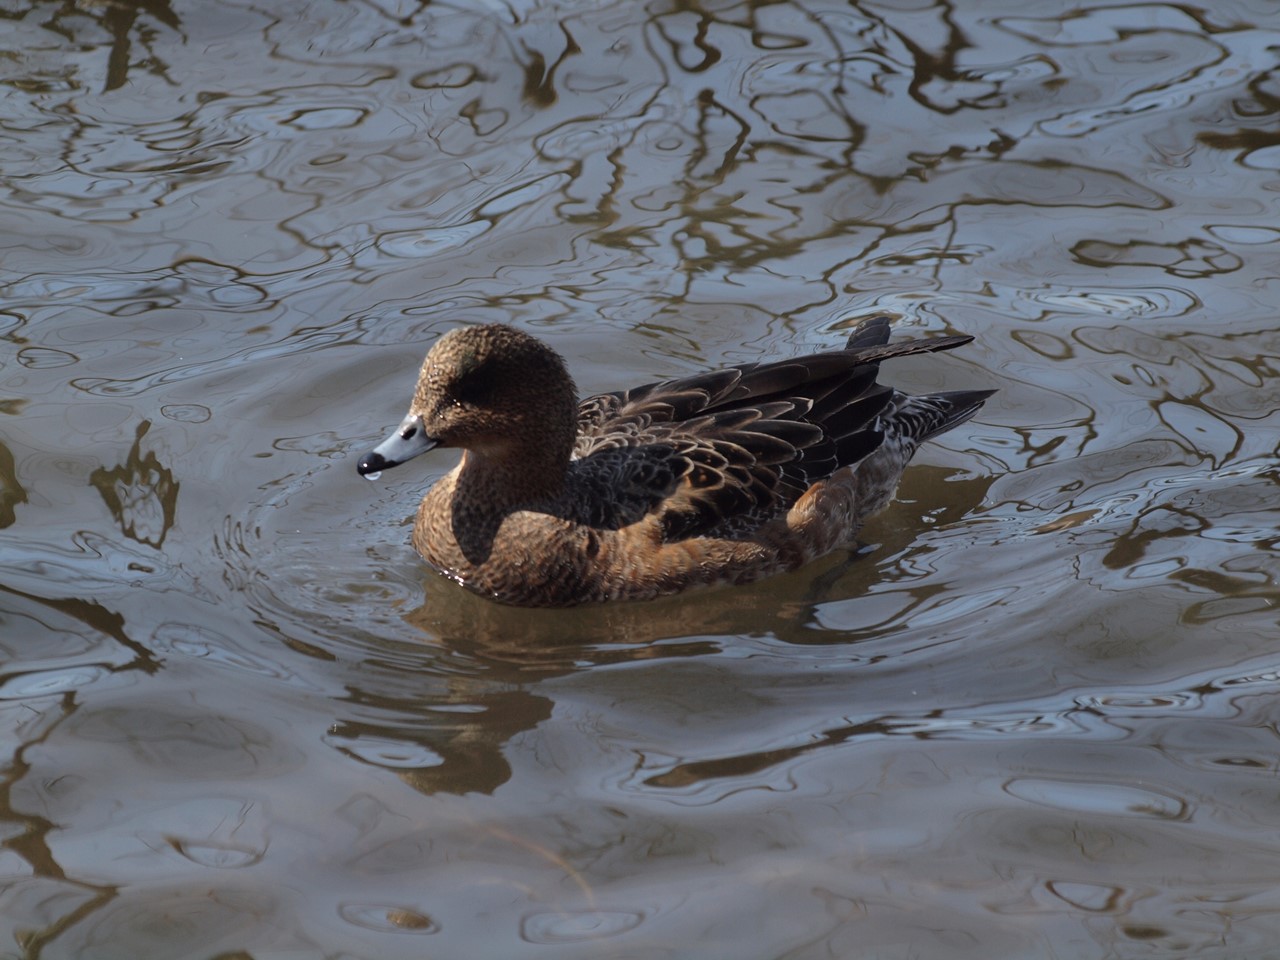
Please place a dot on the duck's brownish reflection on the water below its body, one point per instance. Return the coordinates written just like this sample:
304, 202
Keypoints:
444, 723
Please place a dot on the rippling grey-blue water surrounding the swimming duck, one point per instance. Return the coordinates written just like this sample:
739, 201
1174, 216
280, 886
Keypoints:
1034, 717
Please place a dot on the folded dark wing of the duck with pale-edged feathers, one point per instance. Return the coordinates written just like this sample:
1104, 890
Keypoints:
719, 454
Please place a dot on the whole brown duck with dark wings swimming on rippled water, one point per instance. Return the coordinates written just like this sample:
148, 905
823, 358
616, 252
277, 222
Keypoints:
721, 478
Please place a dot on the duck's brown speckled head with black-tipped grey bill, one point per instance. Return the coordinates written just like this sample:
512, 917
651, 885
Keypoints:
491, 390
